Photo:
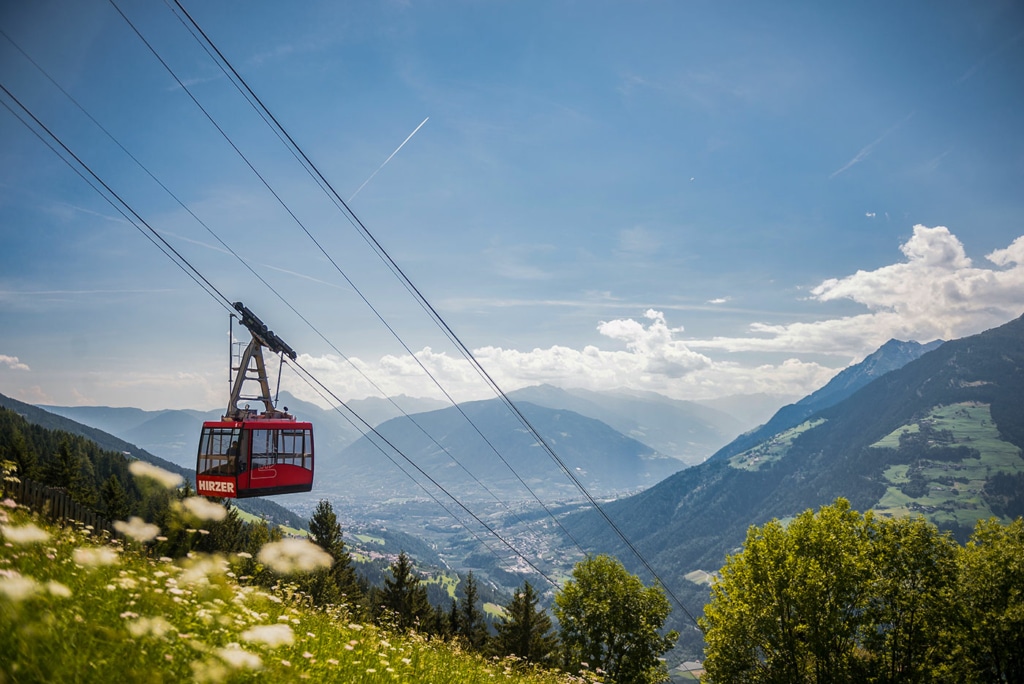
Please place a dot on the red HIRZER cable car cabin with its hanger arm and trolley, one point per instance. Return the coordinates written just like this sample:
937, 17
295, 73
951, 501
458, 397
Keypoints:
252, 454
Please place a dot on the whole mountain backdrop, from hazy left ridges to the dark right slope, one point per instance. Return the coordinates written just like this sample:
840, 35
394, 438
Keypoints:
935, 430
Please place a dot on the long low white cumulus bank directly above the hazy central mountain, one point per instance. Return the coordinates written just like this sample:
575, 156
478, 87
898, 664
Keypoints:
652, 358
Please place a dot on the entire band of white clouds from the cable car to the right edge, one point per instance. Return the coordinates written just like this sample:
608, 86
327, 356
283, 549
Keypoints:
935, 292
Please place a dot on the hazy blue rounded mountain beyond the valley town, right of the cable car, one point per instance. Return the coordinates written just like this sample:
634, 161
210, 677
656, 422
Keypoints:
491, 456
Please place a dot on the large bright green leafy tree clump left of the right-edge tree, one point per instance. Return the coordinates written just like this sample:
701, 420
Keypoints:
835, 596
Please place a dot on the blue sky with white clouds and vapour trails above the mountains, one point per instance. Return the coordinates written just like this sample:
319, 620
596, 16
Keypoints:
695, 198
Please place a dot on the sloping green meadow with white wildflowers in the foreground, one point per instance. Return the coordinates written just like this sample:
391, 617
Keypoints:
81, 609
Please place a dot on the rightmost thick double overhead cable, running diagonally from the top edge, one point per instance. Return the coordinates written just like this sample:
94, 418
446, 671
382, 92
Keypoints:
425, 305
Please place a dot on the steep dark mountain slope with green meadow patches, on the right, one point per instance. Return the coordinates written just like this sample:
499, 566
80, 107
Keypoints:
941, 437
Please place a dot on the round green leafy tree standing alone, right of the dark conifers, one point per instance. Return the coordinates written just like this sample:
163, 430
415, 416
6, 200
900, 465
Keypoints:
612, 622
